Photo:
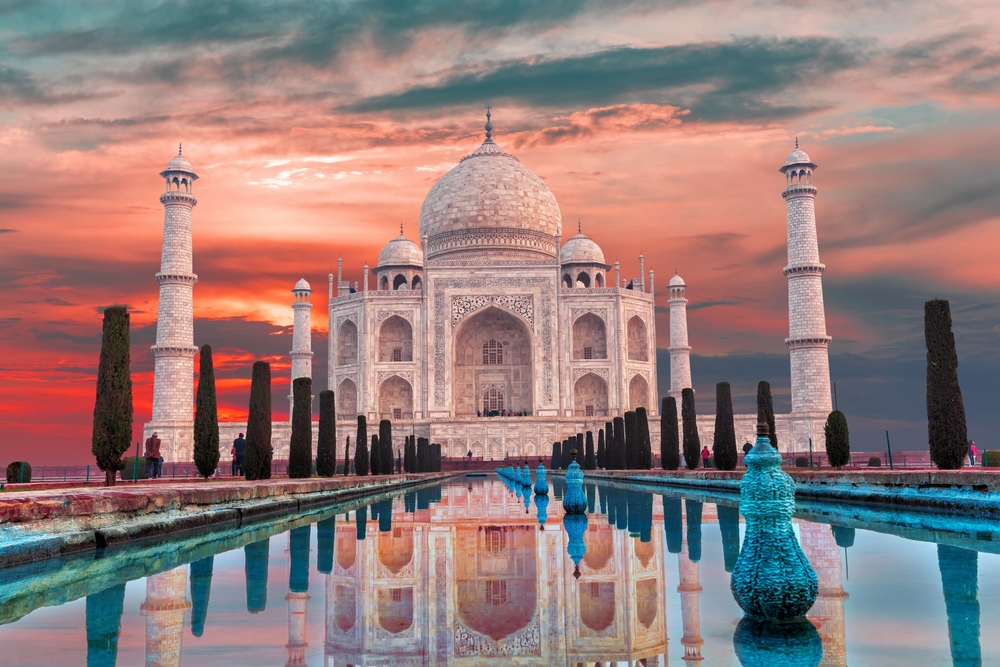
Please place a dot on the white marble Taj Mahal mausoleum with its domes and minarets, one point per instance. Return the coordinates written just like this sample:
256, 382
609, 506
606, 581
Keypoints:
499, 332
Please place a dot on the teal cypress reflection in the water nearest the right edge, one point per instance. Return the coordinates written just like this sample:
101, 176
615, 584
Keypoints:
960, 581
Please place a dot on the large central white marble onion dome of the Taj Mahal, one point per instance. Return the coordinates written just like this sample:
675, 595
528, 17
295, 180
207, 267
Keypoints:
490, 202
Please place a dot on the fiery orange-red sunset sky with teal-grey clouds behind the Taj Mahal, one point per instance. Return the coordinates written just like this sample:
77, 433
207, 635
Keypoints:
660, 126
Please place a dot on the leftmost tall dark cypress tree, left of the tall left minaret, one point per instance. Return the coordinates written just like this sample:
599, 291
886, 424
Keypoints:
113, 407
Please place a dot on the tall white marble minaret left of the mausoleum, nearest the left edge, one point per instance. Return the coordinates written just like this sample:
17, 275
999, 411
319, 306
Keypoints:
173, 384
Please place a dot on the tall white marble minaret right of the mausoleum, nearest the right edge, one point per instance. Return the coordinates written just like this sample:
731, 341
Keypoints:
807, 340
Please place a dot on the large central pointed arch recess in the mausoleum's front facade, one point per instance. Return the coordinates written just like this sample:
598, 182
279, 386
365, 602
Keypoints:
492, 372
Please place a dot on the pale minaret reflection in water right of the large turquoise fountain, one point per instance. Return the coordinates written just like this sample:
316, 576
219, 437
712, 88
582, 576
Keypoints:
827, 614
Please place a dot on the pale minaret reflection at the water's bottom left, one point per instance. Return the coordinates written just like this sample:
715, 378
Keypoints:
166, 602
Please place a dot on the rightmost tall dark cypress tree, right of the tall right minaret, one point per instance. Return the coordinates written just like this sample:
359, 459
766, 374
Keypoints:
946, 428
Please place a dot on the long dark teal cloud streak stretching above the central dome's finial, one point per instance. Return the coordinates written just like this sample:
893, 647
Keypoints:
716, 80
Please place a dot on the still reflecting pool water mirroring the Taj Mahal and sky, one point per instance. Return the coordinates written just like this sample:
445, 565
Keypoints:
464, 574
